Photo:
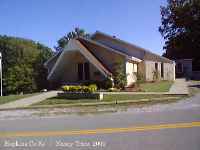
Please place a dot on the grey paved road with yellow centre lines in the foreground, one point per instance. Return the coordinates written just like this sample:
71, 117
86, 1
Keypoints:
159, 127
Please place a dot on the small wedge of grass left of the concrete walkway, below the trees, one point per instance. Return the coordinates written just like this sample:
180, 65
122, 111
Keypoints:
10, 98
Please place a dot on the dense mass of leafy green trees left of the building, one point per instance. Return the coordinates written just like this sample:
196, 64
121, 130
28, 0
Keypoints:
23, 69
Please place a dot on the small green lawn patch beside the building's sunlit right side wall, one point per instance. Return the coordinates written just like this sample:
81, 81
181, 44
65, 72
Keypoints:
162, 86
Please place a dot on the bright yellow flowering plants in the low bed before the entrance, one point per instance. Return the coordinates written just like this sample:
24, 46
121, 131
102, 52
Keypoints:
77, 88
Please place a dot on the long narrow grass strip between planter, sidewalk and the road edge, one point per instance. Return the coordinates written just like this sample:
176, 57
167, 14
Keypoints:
107, 98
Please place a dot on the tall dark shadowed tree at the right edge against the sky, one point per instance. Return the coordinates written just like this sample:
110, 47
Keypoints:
180, 27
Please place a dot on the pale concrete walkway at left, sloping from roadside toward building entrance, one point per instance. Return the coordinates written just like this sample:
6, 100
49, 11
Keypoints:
29, 100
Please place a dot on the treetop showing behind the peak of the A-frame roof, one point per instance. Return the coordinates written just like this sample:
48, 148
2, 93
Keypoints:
62, 42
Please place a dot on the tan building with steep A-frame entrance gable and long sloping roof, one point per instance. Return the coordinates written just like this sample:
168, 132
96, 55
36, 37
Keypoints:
95, 58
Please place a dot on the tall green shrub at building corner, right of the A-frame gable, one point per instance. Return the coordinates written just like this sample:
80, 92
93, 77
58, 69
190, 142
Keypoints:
119, 75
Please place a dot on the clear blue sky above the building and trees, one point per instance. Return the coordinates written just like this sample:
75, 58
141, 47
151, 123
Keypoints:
46, 21
